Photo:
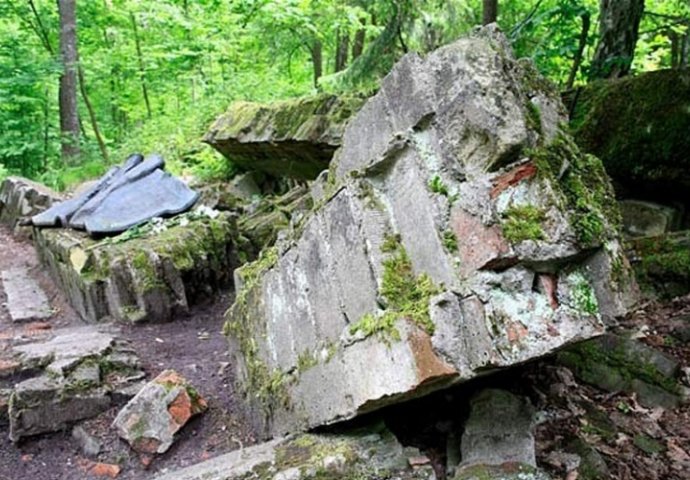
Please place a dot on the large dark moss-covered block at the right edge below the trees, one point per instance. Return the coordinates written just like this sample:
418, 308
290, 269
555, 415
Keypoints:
638, 126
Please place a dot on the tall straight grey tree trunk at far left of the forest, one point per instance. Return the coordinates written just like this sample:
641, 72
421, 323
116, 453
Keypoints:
69, 115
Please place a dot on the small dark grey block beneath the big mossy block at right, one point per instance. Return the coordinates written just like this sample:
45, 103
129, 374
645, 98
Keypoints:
648, 219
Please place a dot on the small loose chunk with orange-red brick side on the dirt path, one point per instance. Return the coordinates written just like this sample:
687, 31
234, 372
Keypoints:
151, 419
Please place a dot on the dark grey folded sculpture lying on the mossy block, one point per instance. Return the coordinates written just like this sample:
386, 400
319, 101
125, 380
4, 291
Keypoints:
124, 197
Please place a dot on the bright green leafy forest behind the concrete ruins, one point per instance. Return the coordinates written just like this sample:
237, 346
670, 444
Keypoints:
84, 83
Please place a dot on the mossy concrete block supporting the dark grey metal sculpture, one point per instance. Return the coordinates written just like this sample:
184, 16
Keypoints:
150, 277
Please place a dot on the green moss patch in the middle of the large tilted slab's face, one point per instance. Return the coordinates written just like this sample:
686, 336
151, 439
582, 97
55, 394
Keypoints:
407, 294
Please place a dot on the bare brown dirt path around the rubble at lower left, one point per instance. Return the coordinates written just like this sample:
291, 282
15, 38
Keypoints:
194, 346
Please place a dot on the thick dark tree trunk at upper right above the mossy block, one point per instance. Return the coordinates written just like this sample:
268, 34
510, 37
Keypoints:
619, 24
